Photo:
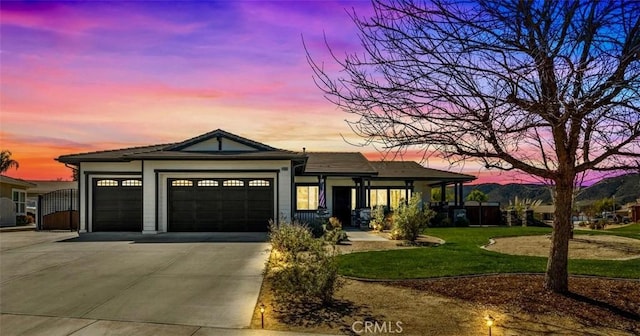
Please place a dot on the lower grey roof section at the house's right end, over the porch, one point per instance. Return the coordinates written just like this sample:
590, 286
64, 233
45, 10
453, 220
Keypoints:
415, 171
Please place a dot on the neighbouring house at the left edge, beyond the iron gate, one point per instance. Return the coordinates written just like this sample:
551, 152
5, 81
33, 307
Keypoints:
13, 199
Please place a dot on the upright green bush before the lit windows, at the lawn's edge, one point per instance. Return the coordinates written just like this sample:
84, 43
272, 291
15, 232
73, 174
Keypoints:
409, 219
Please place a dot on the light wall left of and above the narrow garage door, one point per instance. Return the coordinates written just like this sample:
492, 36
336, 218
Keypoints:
89, 171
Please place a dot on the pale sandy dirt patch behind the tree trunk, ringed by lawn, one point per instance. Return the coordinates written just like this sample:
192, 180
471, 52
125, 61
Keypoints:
580, 247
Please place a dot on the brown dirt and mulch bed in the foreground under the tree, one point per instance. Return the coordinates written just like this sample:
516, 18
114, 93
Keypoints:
459, 306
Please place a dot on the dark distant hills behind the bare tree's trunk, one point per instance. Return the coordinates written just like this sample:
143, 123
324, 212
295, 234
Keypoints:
625, 188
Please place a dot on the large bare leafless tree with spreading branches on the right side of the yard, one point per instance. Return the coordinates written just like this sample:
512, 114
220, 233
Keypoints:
549, 88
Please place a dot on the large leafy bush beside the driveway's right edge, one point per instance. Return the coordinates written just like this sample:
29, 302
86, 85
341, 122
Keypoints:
306, 270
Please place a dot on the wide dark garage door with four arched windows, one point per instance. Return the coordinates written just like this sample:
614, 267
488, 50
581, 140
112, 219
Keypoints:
210, 205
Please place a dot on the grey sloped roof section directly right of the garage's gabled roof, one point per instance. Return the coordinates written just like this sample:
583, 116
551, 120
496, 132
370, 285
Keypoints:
338, 163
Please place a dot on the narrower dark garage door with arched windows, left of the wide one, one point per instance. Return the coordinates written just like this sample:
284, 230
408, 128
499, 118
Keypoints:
117, 204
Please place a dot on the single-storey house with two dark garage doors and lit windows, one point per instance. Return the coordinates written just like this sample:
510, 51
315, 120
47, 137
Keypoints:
220, 181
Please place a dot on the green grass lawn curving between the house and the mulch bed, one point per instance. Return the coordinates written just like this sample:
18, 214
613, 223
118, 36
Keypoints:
462, 255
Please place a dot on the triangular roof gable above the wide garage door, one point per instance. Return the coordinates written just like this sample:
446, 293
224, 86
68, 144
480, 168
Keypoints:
219, 141
